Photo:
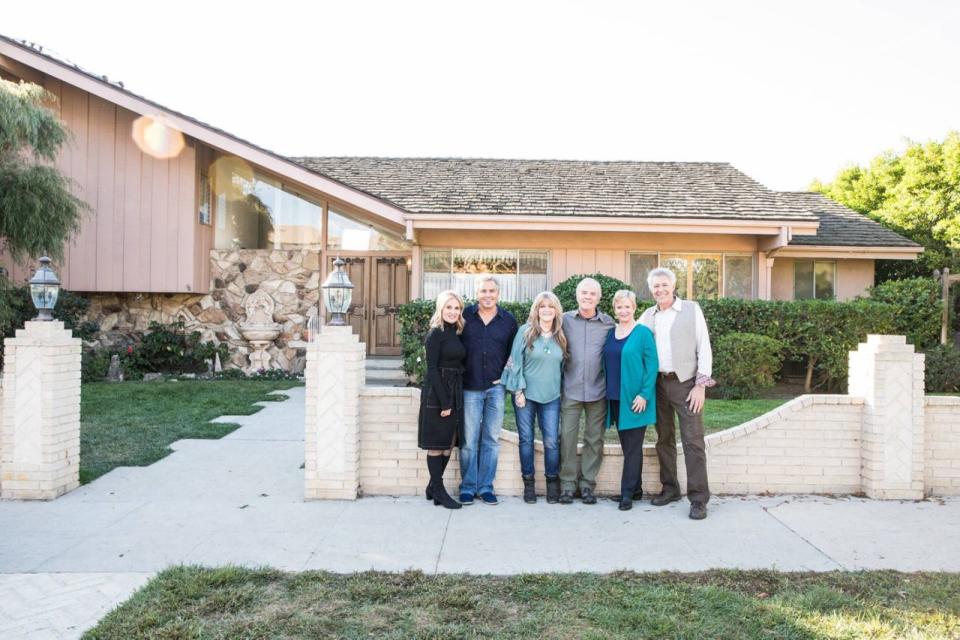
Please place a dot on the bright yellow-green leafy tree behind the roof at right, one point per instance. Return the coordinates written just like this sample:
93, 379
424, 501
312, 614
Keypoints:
917, 194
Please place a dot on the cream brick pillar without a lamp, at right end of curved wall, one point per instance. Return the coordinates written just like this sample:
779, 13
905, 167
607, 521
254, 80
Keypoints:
888, 375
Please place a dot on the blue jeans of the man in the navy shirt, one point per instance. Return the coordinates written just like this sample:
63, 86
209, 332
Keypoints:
482, 421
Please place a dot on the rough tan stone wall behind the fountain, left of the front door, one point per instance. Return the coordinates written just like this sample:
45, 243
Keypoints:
290, 277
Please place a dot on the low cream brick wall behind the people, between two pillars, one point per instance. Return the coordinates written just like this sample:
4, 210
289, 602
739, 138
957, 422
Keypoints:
809, 445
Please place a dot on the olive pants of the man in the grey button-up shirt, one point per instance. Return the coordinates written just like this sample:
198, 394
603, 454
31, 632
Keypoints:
592, 454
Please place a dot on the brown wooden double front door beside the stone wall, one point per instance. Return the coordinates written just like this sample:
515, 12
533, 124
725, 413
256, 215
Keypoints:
380, 285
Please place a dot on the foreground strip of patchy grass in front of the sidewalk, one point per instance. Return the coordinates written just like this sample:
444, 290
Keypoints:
190, 602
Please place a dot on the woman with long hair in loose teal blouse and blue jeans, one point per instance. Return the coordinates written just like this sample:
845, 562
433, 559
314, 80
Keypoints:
533, 375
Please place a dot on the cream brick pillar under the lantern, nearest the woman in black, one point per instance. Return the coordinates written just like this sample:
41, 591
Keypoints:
334, 377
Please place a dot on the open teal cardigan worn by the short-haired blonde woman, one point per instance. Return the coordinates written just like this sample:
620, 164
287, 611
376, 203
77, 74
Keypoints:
638, 376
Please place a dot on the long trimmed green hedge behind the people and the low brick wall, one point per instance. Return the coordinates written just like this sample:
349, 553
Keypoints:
817, 332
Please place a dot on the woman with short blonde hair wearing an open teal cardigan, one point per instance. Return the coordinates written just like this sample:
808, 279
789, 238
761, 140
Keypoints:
630, 362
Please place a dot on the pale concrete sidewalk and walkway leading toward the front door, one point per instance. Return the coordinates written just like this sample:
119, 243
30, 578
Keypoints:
238, 500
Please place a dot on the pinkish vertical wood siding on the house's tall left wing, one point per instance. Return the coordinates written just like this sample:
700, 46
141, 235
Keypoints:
142, 233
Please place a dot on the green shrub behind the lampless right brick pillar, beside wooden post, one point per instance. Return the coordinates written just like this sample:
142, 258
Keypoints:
919, 308
